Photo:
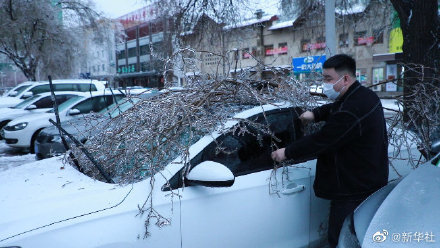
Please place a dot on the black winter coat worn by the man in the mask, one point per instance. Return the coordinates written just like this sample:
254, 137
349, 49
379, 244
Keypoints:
352, 146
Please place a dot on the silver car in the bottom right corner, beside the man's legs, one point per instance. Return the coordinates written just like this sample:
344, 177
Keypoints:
404, 213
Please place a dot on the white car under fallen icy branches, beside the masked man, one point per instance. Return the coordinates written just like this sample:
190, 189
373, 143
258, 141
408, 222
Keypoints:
232, 200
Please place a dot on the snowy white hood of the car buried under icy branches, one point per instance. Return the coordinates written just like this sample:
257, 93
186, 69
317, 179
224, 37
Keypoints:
46, 195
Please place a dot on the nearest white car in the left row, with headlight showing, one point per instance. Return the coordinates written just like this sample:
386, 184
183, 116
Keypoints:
22, 132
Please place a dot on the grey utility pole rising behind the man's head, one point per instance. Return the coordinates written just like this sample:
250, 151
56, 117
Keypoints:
330, 28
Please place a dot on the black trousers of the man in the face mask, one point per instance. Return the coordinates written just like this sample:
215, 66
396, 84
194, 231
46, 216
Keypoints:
339, 209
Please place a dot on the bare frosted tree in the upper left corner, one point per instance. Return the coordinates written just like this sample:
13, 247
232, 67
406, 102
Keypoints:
42, 37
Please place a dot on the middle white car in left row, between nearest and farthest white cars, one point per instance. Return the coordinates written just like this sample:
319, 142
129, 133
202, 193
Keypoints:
38, 103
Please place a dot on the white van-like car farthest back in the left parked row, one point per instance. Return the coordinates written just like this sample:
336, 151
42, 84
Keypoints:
28, 89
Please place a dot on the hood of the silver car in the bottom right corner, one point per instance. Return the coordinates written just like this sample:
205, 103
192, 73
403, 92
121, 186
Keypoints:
411, 208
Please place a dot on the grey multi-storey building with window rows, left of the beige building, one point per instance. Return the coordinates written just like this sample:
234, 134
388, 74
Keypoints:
141, 53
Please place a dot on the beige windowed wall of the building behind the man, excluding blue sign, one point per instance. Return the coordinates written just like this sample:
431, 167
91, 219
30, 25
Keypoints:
360, 34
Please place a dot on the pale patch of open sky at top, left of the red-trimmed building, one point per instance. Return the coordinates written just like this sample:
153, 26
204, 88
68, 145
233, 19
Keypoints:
117, 8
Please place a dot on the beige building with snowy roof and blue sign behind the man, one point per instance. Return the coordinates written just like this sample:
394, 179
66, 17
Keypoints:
269, 44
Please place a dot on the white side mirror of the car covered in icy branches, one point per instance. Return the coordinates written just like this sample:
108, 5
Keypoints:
210, 174
